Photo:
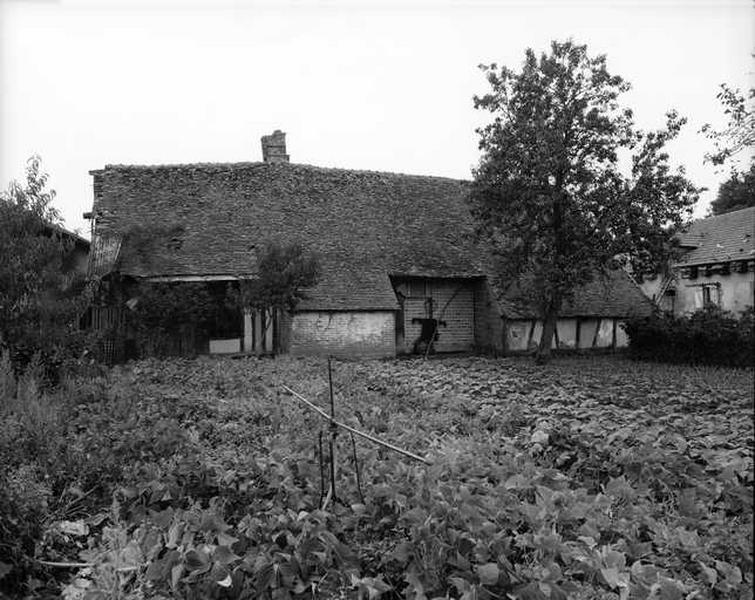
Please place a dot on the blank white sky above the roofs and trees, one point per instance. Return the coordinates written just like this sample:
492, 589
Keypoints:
358, 84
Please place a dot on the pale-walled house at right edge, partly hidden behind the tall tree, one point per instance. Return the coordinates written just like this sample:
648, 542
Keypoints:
717, 266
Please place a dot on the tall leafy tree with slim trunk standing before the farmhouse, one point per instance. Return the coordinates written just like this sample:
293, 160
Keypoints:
549, 194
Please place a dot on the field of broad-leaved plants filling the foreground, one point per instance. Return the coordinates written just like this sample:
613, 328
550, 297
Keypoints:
203, 479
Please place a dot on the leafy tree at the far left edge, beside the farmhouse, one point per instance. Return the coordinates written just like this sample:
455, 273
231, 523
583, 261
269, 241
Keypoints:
39, 301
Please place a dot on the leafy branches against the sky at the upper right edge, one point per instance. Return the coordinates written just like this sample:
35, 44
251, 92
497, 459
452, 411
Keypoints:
739, 134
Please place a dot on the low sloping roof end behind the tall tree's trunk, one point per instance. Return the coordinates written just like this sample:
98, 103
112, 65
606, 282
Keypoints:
613, 295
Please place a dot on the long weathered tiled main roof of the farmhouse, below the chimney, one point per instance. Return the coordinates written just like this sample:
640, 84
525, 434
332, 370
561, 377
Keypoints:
364, 225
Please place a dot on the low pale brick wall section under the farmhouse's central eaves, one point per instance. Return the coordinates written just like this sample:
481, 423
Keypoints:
365, 334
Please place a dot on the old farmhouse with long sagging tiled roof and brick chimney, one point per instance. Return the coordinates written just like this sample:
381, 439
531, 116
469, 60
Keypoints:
396, 253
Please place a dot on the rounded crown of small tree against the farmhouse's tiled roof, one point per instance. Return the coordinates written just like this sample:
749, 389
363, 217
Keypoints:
285, 273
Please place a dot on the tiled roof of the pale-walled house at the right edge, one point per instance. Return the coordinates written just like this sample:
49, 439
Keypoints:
723, 238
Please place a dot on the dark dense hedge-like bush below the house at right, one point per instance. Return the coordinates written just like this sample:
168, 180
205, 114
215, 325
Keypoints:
707, 337
